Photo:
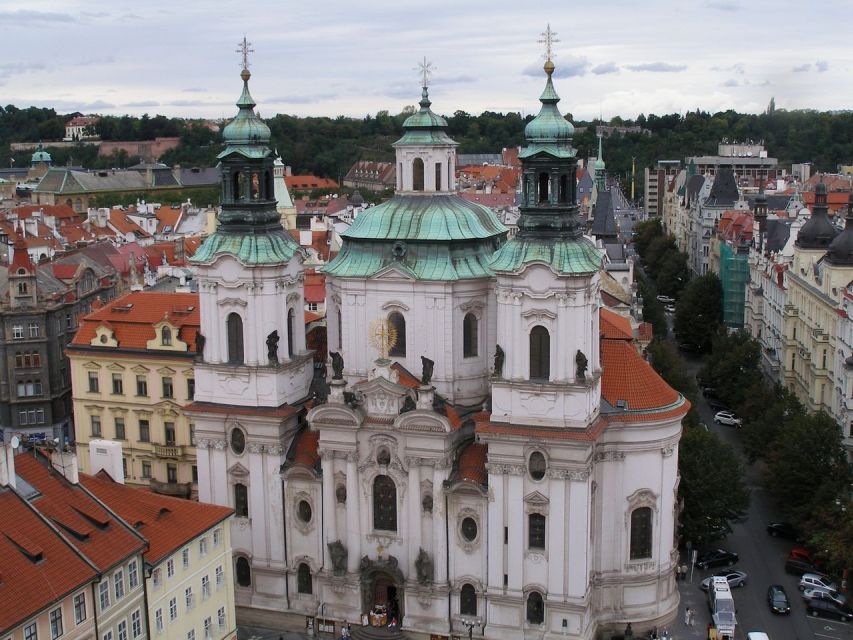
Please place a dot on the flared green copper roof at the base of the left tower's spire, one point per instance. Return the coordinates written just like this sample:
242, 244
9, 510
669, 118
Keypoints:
266, 248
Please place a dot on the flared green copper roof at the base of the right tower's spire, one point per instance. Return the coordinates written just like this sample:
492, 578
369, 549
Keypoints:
564, 256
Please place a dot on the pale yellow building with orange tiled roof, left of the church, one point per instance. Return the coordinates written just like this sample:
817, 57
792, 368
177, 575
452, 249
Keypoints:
131, 376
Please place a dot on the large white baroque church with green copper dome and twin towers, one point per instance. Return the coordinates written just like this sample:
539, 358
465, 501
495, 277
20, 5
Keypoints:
493, 455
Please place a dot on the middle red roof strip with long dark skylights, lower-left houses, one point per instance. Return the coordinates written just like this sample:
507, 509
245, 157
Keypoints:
94, 531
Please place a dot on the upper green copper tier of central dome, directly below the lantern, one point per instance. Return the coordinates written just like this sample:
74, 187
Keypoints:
425, 218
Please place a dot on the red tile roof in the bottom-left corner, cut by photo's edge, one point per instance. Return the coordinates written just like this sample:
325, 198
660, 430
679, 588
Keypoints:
37, 567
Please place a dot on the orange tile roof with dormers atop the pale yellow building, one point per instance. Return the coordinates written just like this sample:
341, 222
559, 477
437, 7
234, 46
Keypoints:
133, 315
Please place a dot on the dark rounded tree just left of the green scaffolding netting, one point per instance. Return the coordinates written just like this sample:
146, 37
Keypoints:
699, 312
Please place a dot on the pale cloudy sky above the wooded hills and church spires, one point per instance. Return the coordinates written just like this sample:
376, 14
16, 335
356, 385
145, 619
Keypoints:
336, 57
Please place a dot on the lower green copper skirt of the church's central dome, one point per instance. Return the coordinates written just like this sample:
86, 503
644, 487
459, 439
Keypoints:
421, 261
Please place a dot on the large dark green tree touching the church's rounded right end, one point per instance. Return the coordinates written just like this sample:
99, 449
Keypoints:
711, 491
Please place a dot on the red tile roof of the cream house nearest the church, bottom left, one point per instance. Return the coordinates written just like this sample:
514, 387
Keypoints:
166, 523
